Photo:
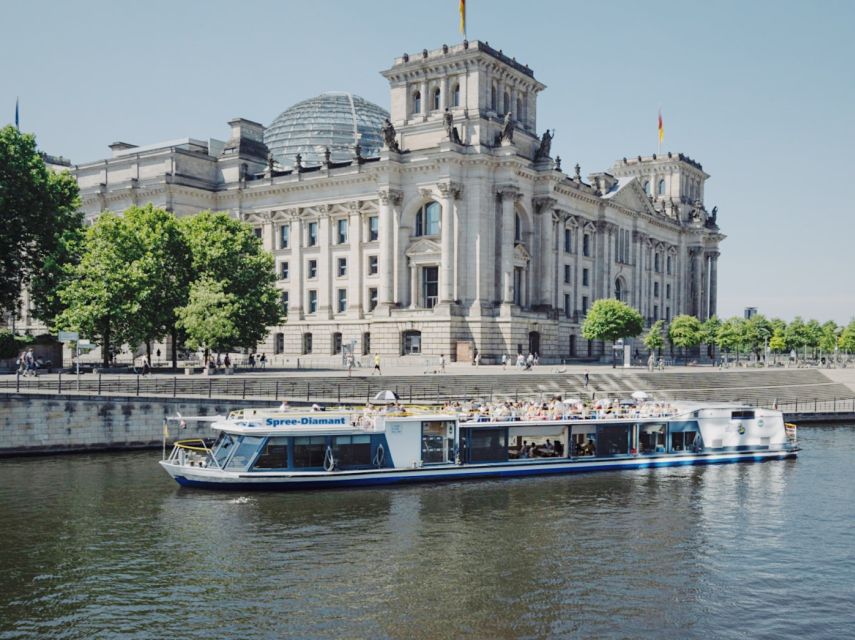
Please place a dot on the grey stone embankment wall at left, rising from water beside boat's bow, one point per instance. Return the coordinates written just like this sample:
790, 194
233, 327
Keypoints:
54, 424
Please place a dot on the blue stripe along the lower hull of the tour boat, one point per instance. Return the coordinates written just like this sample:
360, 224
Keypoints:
388, 479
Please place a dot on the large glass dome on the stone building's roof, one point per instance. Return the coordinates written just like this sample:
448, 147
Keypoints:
336, 120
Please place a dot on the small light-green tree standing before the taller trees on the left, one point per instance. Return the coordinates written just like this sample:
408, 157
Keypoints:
209, 316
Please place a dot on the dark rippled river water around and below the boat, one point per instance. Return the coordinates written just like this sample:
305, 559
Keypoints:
107, 546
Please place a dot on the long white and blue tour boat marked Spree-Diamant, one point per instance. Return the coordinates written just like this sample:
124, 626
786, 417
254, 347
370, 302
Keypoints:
281, 449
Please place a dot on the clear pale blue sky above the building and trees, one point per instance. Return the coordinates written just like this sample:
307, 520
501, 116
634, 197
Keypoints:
762, 93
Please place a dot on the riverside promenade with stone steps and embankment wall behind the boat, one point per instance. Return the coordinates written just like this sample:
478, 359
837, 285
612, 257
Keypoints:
57, 413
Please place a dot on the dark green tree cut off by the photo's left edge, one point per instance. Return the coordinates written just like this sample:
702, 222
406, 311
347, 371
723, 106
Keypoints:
38, 211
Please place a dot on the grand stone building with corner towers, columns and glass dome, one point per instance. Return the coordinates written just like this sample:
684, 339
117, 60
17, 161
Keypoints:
448, 229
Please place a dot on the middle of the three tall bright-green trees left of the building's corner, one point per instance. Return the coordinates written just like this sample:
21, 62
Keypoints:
164, 267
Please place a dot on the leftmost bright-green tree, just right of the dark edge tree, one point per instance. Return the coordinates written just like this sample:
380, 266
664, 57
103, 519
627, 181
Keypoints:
102, 294
